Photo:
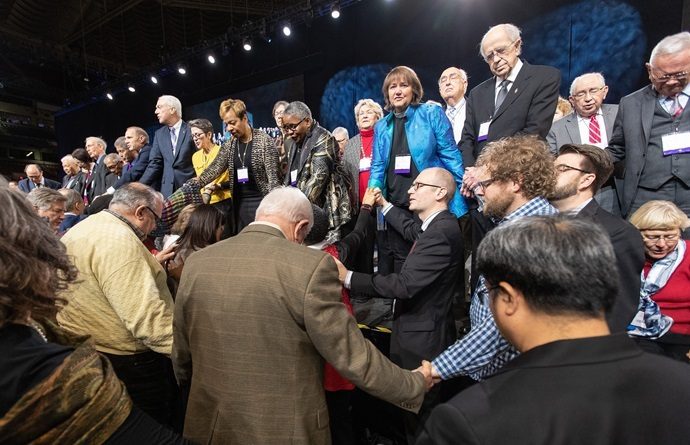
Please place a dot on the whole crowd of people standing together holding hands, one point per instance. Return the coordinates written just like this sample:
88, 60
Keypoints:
181, 291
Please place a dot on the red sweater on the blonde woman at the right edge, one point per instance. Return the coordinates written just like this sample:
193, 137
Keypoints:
674, 298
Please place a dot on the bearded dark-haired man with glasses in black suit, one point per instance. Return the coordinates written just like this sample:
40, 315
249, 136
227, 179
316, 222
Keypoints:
580, 172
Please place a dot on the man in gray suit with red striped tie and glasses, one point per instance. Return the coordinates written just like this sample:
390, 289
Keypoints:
590, 123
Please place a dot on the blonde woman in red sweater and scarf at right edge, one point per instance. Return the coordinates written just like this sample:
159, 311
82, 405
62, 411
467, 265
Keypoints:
666, 275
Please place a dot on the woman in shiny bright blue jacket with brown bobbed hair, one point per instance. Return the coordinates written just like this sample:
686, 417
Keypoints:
412, 137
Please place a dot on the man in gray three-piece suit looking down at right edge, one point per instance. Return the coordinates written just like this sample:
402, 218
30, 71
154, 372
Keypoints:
652, 130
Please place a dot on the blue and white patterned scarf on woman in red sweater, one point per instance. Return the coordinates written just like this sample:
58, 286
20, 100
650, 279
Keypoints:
649, 322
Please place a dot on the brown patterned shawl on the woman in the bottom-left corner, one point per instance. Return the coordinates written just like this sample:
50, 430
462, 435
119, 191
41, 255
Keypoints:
81, 402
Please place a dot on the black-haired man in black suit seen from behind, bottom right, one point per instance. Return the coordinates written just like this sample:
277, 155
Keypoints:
573, 382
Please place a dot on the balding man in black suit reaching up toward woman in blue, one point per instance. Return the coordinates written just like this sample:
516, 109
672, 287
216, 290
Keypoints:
423, 323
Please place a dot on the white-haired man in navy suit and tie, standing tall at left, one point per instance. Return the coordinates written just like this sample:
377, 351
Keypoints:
172, 166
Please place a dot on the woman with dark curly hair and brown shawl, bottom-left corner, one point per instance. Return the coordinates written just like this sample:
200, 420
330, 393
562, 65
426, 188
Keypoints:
54, 386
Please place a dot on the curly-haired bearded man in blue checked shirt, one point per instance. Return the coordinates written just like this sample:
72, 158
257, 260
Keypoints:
514, 176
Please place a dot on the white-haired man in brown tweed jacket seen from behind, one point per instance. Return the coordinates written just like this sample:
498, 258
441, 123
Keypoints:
251, 343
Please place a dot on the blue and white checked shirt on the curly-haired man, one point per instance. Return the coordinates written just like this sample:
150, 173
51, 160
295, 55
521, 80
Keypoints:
483, 350
